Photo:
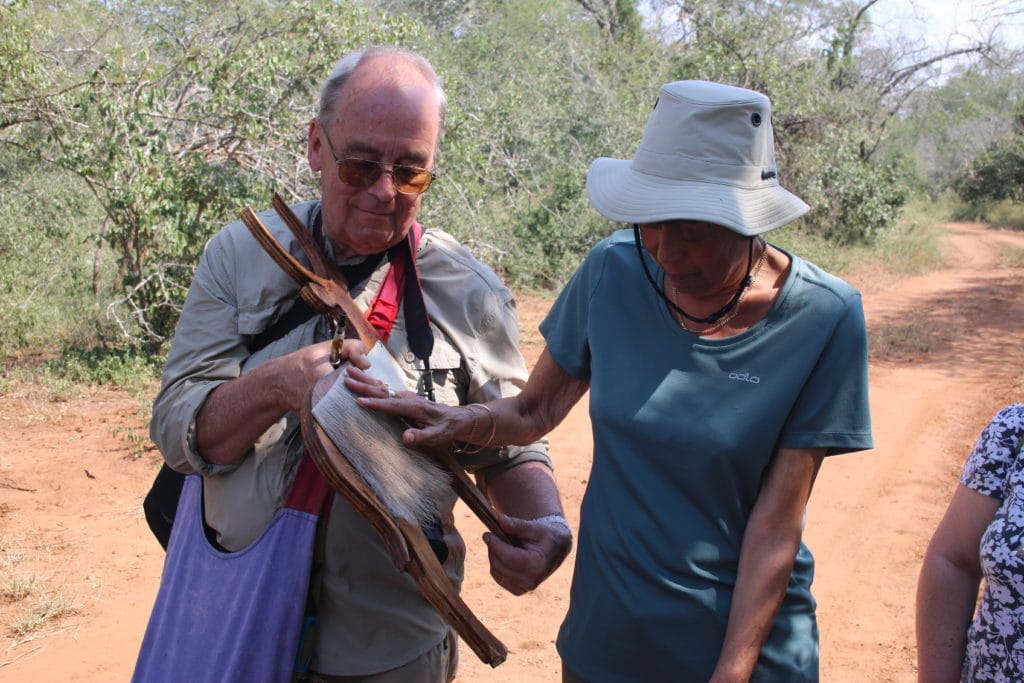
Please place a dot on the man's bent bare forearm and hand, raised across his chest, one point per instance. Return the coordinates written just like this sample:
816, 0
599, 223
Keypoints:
237, 413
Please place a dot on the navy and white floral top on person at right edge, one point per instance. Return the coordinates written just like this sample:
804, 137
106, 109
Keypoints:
996, 467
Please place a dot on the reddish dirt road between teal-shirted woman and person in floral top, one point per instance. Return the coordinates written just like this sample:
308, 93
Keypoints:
872, 515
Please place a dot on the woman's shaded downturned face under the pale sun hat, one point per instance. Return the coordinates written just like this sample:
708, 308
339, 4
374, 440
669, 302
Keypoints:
698, 258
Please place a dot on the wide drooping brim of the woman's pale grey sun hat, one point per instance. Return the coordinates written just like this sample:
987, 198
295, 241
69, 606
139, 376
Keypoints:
623, 195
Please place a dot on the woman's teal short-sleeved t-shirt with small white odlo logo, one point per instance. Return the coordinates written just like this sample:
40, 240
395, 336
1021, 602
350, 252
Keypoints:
684, 431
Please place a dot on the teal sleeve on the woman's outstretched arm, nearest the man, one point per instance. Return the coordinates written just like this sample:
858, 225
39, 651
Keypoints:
567, 327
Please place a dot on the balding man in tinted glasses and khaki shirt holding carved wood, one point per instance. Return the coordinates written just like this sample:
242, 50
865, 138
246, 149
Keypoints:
239, 372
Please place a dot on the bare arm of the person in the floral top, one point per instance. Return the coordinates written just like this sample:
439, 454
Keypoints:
948, 588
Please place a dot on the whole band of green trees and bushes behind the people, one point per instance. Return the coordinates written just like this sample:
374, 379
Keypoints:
173, 116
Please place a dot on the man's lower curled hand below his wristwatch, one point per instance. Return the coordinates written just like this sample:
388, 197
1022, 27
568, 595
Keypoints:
540, 548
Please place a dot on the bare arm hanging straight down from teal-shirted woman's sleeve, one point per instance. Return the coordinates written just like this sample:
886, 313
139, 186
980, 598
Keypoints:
766, 559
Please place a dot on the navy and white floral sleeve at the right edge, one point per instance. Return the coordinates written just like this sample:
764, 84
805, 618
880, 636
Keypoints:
1000, 445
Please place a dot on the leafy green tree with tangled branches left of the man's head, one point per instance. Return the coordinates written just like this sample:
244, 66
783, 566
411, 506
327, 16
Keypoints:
174, 116
